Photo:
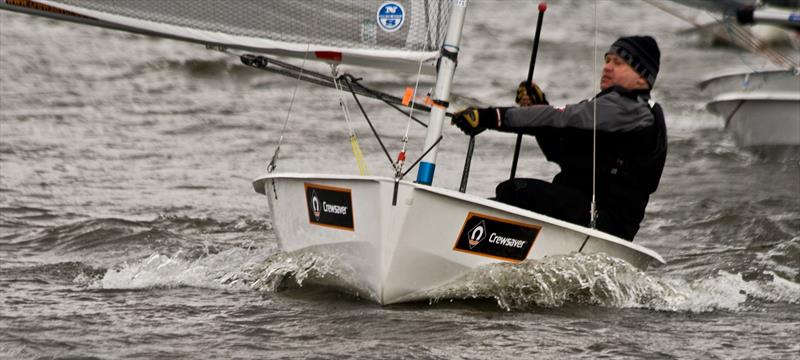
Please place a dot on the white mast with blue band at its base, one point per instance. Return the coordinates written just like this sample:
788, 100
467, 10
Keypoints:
441, 95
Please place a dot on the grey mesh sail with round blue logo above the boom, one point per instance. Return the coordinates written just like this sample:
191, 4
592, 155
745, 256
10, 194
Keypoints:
345, 31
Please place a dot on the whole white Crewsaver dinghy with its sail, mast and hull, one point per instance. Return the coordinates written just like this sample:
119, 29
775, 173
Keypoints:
397, 240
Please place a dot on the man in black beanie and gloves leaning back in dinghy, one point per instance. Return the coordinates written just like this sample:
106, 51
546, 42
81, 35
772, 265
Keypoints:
631, 143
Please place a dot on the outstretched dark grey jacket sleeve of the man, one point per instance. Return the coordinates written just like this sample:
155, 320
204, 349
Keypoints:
614, 113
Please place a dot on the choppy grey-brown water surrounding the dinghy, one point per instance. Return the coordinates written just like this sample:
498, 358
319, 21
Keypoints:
129, 228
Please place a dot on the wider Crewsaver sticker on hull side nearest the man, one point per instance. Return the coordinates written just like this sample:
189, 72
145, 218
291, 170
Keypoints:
496, 238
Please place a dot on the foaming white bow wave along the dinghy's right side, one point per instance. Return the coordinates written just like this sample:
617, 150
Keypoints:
604, 281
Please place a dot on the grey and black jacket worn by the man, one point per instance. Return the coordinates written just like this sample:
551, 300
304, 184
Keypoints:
631, 149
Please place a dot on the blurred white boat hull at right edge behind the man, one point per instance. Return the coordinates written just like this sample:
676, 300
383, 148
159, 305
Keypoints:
760, 108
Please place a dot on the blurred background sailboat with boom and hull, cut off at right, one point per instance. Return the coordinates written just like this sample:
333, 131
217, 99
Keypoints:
760, 107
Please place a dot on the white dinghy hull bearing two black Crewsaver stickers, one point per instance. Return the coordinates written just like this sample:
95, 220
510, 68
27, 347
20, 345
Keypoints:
397, 253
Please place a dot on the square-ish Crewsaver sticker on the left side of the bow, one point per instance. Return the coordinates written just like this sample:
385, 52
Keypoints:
329, 206
